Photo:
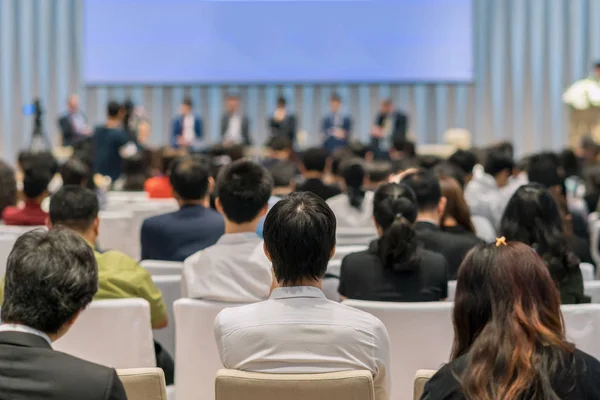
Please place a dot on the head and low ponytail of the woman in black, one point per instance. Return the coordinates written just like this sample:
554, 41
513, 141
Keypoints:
395, 211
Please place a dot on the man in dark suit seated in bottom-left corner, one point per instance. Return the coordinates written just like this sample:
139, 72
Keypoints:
51, 277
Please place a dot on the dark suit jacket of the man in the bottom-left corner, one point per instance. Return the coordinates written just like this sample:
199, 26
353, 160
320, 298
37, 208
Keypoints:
30, 369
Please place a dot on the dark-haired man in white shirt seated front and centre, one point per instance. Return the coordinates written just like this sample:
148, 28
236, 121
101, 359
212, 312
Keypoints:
297, 330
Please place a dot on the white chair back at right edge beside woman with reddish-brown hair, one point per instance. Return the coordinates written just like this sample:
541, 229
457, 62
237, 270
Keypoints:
582, 324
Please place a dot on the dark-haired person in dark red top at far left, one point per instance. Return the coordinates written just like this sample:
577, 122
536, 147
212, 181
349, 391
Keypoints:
35, 189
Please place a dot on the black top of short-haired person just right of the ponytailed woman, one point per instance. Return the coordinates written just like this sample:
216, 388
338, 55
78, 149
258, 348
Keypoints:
452, 246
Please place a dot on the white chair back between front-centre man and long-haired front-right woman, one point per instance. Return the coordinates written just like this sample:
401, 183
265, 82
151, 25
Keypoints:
421, 336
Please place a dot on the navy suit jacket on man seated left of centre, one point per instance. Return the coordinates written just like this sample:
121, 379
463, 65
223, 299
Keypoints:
176, 236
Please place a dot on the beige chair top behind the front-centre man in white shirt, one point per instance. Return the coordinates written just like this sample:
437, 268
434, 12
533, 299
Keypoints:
347, 385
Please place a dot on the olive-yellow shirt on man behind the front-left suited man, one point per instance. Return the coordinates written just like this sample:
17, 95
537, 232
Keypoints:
121, 277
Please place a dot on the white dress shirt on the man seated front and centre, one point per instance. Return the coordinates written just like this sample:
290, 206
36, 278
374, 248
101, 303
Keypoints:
297, 330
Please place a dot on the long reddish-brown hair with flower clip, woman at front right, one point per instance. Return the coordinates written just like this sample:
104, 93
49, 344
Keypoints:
508, 323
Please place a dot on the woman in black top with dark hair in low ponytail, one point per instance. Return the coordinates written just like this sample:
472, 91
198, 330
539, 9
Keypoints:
395, 267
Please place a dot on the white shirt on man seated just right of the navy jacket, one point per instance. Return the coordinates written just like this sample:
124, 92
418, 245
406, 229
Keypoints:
235, 270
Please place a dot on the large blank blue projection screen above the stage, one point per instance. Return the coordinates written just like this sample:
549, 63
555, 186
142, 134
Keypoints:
270, 41
